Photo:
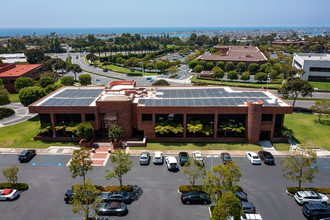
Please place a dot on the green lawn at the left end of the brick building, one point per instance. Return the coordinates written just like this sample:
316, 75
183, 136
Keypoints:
18, 136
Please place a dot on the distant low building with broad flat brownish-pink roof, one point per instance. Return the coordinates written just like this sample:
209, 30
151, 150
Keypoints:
236, 54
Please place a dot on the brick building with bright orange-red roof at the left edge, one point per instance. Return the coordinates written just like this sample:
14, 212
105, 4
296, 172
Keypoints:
9, 72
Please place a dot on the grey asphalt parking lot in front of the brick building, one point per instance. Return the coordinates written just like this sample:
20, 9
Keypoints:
156, 195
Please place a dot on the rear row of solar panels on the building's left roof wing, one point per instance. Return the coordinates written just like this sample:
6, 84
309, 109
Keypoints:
79, 93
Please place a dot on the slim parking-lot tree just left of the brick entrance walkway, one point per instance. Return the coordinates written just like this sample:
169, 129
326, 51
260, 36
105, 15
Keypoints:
81, 163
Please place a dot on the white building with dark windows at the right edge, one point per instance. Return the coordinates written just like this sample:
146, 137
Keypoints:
316, 66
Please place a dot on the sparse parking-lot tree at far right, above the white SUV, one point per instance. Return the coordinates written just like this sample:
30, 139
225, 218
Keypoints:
298, 165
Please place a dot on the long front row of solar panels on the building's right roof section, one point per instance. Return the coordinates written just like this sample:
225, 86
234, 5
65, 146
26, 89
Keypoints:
203, 102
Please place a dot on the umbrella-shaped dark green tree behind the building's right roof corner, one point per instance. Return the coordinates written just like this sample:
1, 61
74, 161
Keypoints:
295, 87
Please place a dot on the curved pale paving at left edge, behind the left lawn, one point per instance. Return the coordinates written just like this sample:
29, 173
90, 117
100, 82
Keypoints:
21, 114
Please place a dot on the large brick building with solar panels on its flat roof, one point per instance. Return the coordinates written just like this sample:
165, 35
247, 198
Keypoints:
138, 109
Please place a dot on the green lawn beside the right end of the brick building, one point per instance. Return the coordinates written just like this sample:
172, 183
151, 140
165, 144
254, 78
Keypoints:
317, 135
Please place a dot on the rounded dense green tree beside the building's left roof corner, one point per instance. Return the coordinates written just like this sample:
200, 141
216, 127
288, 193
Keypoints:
30, 95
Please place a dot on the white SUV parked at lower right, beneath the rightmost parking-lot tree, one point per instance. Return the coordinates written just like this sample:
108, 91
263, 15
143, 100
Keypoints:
306, 197
